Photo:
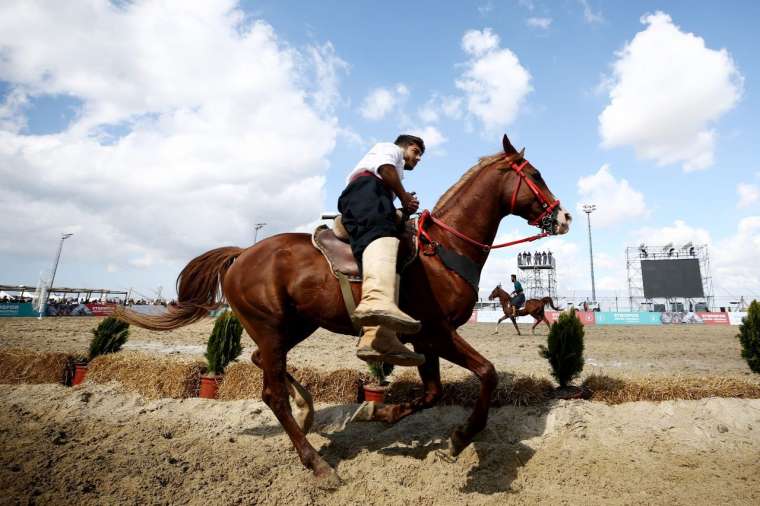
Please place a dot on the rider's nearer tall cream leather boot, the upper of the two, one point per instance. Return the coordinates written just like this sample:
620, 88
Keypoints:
379, 280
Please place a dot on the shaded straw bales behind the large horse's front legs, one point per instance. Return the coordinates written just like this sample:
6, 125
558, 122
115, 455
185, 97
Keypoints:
510, 391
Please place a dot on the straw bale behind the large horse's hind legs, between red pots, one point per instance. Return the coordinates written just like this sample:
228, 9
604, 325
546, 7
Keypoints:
245, 381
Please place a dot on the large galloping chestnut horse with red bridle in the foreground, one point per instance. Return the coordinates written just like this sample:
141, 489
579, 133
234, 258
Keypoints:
282, 290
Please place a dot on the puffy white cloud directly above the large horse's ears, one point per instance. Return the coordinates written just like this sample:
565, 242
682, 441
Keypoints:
494, 82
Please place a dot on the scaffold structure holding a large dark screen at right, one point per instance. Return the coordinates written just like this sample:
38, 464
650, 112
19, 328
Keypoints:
669, 278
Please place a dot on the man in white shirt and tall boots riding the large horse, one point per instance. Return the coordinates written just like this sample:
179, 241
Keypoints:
368, 214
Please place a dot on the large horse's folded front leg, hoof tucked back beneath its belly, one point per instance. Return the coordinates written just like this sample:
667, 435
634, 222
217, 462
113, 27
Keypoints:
430, 374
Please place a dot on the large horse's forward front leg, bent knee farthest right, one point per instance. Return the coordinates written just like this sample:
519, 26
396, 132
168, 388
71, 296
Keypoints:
459, 352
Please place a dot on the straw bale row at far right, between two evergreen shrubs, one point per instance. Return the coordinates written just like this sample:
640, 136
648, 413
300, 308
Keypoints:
616, 391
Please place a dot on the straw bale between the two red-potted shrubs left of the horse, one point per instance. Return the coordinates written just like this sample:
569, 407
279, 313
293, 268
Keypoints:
149, 376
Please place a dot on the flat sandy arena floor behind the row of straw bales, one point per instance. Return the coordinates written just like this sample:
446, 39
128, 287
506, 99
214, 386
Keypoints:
622, 351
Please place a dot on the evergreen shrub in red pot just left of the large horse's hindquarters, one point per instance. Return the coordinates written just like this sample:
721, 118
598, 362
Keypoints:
222, 348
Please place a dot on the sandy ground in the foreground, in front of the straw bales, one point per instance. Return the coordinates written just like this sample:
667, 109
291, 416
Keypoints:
94, 445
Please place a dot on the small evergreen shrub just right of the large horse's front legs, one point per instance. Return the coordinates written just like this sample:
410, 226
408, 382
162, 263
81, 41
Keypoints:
565, 348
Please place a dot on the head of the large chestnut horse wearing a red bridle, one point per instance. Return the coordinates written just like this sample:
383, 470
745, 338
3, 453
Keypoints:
525, 194
